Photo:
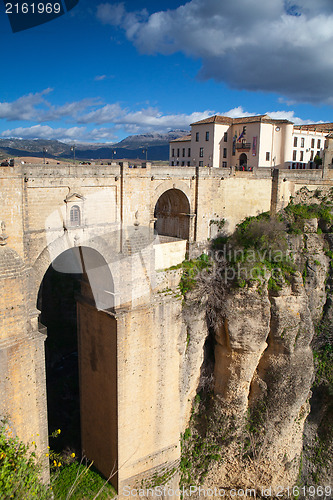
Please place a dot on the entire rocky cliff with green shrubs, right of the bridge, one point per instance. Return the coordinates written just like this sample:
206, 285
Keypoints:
265, 421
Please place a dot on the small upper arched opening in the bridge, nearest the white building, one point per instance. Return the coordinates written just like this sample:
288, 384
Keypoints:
172, 212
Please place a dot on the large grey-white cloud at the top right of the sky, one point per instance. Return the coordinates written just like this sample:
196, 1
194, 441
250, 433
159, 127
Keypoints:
278, 46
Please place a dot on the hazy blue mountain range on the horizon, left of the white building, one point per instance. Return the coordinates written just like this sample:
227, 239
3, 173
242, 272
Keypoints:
132, 147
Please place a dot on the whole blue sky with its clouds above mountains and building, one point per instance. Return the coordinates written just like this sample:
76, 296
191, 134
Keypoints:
106, 70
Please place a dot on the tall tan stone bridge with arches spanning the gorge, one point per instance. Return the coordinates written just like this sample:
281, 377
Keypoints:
114, 231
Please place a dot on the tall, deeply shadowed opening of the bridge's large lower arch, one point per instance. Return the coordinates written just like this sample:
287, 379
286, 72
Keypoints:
75, 300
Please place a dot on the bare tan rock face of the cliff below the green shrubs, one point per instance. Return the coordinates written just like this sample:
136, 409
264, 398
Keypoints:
264, 372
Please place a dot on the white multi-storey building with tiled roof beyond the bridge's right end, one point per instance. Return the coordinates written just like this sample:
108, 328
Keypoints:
250, 142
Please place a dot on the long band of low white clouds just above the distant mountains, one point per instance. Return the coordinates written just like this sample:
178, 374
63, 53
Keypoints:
109, 119
